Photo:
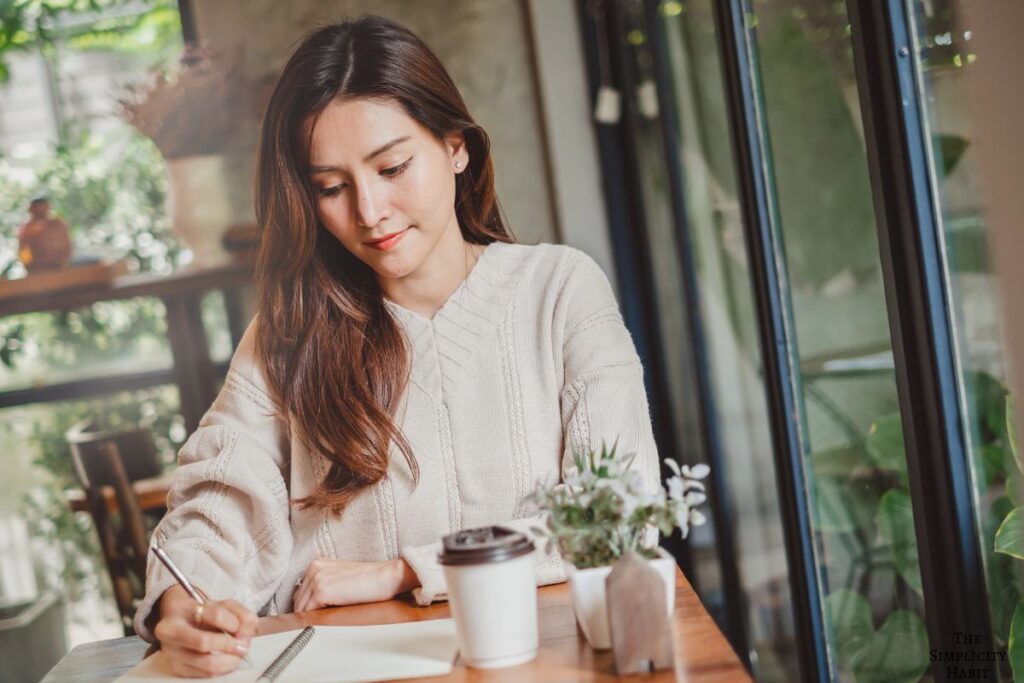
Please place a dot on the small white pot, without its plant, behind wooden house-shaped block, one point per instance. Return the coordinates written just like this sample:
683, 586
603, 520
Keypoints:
590, 603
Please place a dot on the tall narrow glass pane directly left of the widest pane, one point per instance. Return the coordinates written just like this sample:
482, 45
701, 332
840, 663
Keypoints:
728, 313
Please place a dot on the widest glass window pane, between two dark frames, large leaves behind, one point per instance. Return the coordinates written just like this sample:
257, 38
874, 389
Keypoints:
852, 439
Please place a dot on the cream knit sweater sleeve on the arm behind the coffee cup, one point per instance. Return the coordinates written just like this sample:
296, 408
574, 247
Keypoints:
603, 400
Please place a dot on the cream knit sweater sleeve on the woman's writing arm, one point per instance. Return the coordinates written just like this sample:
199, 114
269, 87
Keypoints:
228, 522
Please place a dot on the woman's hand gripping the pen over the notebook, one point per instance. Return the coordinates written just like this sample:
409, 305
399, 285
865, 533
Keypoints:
202, 651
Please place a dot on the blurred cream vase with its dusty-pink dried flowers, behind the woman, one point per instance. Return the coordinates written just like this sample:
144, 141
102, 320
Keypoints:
197, 116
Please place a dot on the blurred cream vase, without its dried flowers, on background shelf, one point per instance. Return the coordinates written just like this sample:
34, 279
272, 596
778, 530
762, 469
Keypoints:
200, 206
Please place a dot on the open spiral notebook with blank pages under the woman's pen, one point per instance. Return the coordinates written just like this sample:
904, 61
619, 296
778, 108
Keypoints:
336, 655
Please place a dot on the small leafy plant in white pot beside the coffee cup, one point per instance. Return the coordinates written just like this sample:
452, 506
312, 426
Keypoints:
604, 511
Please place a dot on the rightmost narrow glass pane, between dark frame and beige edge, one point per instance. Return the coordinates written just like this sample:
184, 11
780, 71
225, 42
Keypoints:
946, 59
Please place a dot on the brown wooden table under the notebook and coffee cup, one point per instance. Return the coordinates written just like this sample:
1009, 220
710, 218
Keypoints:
703, 655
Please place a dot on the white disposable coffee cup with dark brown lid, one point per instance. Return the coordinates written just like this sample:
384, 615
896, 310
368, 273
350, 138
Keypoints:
493, 595
